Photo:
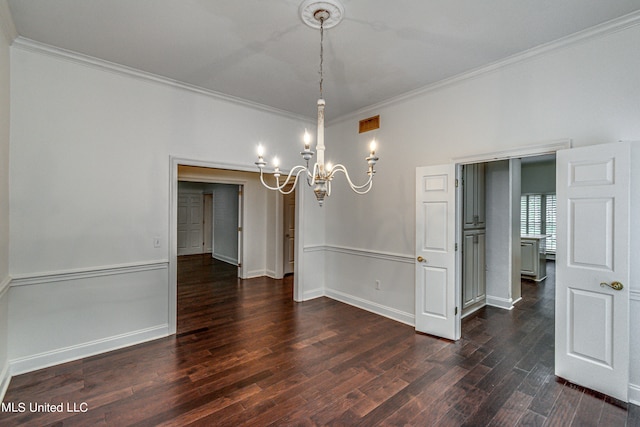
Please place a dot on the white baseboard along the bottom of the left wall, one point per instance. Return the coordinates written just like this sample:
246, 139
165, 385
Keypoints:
91, 348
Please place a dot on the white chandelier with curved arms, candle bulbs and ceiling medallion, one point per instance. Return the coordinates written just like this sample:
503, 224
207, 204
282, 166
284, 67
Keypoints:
317, 14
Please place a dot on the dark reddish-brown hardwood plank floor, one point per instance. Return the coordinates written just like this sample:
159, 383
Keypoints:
246, 354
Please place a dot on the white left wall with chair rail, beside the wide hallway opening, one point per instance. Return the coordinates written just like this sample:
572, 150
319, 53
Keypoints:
90, 190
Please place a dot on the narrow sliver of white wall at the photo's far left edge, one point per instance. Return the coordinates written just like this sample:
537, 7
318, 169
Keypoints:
5, 41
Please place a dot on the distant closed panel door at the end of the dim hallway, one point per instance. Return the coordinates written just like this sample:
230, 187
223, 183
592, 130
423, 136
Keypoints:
190, 228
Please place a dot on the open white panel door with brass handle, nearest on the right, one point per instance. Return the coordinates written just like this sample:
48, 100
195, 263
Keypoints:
592, 319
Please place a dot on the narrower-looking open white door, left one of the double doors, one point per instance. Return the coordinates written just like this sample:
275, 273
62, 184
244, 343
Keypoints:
436, 311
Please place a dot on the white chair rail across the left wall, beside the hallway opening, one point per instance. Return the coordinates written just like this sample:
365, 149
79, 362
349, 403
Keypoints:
84, 273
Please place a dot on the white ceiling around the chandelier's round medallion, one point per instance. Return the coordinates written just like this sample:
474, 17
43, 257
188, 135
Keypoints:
261, 51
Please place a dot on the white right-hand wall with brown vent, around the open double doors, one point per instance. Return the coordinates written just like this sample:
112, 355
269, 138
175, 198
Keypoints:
587, 92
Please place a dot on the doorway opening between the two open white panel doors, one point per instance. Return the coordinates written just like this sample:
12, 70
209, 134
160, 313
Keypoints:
507, 208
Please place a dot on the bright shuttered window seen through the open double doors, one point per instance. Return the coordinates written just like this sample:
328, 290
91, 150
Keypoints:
538, 216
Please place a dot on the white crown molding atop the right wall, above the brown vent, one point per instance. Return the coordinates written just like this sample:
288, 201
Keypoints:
597, 31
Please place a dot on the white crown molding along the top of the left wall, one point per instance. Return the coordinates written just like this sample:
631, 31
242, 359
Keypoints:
93, 62
